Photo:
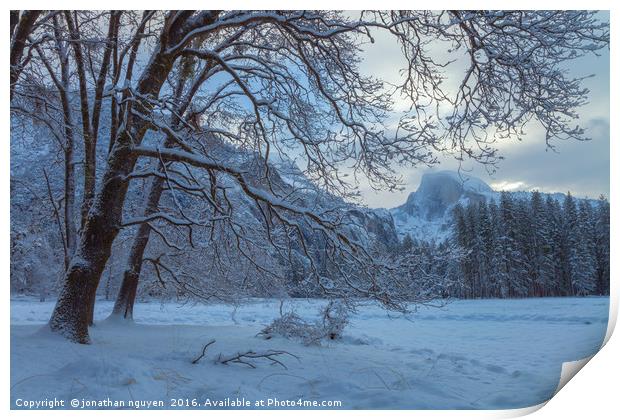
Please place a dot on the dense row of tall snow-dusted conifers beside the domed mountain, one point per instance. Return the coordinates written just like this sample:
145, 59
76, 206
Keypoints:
523, 246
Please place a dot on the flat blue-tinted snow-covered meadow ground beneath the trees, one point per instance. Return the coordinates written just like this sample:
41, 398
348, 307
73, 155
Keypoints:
469, 354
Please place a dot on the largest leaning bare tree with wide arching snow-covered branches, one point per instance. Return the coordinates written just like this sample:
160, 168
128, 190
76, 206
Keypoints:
288, 84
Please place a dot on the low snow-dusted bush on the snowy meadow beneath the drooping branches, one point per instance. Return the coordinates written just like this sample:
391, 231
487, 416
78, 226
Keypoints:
333, 320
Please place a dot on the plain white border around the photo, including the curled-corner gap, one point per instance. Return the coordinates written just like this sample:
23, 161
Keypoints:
593, 394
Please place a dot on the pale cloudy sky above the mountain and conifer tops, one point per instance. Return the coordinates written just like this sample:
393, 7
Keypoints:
579, 167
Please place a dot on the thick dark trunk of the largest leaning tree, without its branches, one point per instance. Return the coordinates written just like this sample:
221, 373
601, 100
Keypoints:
72, 312
